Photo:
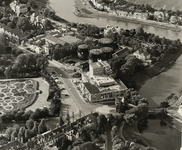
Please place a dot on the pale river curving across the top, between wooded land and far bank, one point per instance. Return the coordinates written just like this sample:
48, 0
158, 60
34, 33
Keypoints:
64, 9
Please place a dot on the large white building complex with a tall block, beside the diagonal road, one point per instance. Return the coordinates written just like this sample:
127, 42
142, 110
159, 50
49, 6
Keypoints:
98, 85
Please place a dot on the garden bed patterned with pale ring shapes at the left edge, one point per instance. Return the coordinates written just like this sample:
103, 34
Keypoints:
16, 94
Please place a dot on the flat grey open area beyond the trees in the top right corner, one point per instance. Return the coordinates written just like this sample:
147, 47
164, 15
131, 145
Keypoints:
167, 4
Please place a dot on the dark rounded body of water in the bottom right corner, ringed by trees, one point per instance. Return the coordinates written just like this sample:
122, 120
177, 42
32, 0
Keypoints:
167, 137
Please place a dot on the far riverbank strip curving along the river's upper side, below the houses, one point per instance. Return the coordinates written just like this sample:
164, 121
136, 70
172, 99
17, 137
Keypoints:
84, 9
